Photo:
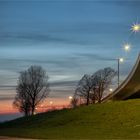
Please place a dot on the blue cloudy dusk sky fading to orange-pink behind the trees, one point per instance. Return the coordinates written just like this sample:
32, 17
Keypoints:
68, 38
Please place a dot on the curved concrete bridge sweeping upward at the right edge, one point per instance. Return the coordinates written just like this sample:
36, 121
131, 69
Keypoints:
130, 88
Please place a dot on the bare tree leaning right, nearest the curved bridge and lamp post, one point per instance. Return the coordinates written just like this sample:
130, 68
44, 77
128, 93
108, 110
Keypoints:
101, 80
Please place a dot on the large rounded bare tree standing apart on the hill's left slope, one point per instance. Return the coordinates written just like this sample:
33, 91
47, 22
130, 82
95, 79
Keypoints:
32, 89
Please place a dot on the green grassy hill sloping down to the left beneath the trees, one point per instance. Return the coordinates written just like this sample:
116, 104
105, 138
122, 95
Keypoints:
101, 121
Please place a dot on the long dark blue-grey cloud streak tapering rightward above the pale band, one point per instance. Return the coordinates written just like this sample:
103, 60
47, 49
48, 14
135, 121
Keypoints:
41, 38
